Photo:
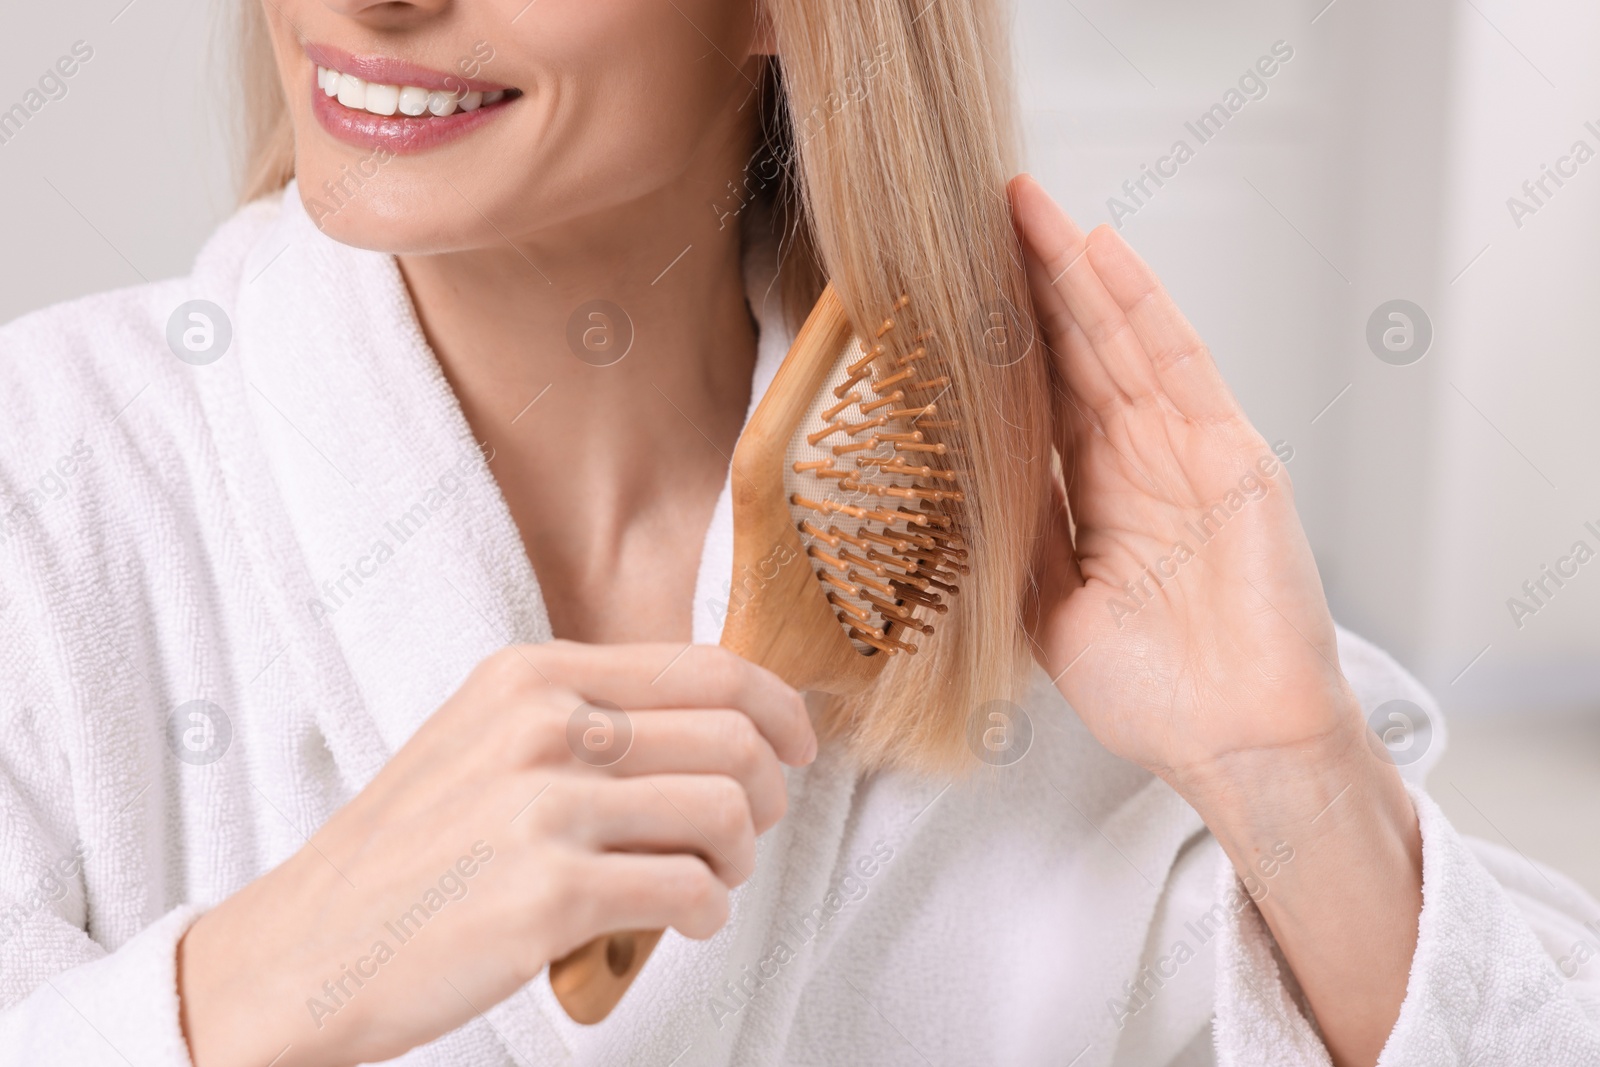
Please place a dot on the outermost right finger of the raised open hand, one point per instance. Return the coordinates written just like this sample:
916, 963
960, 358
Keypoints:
1190, 375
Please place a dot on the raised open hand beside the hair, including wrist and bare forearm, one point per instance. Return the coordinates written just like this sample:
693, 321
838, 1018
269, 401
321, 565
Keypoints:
1183, 618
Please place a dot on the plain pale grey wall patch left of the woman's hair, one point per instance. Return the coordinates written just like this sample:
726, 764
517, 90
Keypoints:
124, 177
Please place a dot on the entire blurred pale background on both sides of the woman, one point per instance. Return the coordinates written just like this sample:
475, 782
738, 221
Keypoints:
1423, 153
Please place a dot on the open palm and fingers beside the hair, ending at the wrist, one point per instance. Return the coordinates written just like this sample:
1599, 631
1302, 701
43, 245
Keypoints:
1185, 621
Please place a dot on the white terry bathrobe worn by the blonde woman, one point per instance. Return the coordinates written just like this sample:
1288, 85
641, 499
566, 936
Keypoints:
303, 537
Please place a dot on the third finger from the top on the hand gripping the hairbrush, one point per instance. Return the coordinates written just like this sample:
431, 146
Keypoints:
702, 815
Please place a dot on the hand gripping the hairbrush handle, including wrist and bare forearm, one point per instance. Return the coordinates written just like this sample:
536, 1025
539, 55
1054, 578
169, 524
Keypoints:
490, 845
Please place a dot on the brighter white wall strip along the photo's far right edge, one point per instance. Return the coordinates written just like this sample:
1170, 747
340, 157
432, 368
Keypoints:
1519, 482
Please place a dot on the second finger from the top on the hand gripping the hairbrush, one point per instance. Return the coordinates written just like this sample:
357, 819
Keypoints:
710, 743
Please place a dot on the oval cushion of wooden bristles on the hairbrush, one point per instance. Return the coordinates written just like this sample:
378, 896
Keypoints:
876, 489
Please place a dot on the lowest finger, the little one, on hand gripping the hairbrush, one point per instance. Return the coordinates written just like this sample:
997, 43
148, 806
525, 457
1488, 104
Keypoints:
641, 892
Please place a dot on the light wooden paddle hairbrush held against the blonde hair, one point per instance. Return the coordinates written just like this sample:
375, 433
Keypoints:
849, 465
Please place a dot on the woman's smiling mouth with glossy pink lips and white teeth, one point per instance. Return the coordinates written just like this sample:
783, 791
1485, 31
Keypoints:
375, 102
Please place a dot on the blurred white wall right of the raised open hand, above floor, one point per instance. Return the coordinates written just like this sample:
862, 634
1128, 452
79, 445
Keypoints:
1388, 150
